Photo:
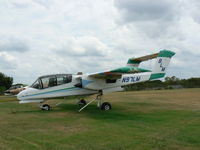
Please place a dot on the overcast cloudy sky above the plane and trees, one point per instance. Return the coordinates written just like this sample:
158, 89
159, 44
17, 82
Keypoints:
39, 37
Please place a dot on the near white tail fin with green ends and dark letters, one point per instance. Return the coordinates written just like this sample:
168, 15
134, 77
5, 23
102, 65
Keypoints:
162, 62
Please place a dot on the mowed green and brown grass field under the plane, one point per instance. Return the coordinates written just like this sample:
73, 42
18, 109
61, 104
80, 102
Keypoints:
157, 120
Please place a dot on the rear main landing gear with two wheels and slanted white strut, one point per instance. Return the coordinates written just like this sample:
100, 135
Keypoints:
103, 106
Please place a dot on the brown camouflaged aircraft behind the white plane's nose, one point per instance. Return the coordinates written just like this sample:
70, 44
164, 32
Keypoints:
14, 89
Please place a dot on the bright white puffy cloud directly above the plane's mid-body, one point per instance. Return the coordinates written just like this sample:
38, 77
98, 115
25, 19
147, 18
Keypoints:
81, 47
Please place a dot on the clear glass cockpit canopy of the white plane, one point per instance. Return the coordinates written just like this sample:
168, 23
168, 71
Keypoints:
52, 80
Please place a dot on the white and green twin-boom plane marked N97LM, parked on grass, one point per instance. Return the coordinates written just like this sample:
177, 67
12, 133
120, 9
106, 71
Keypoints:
64, 85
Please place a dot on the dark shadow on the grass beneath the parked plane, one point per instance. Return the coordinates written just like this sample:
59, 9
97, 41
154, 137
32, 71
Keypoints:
116, 114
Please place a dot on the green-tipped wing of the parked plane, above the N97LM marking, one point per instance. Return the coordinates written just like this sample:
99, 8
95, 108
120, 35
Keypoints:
117, 73
